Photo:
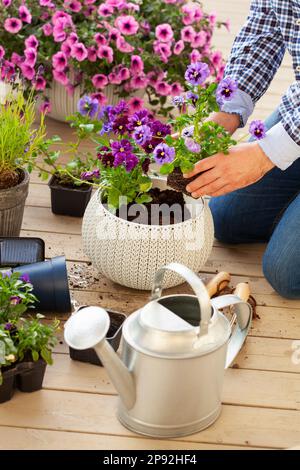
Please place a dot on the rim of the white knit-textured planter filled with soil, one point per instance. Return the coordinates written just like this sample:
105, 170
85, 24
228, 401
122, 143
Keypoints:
147, 226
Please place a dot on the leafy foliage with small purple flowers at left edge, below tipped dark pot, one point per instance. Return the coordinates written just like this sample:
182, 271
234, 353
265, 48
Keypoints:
15, 296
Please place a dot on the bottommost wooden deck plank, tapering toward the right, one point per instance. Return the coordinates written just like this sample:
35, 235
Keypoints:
12, 438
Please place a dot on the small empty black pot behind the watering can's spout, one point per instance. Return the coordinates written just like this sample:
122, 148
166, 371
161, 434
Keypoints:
113, 337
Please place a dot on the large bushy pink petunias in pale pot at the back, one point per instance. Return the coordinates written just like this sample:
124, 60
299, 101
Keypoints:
111, 48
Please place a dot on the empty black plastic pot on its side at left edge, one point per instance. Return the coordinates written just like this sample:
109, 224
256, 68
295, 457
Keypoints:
19, 251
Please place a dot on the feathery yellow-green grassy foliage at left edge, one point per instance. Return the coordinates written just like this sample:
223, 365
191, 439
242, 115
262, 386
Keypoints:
19, 137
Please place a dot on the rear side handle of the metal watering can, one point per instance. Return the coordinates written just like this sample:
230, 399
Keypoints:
243, 312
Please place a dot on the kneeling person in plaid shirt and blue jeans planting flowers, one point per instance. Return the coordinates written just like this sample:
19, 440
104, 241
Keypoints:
256, 188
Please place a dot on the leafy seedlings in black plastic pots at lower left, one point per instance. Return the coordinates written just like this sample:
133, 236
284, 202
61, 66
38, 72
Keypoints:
25, 343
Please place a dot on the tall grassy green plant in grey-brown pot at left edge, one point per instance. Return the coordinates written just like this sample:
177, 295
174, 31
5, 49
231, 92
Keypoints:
18, 150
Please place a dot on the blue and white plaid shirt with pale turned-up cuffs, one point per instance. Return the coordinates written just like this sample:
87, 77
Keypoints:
272, 27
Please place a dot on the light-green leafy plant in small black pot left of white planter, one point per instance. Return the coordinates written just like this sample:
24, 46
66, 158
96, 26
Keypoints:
69, 194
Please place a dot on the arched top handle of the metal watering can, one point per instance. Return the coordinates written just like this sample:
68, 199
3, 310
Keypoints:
196, 284
